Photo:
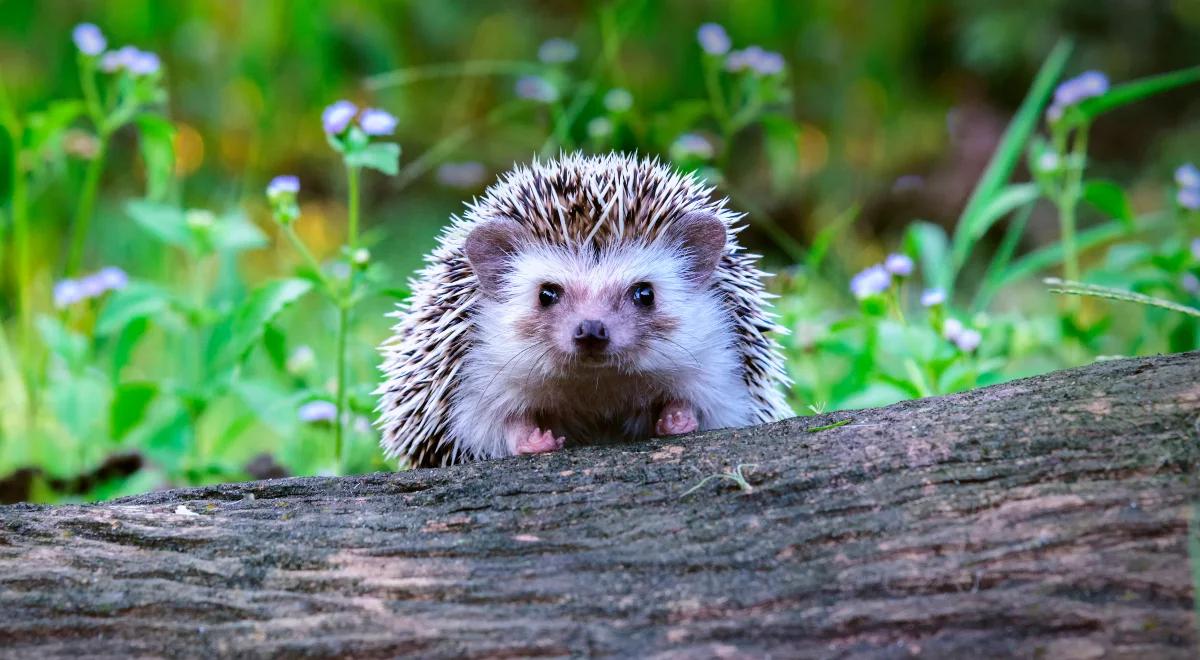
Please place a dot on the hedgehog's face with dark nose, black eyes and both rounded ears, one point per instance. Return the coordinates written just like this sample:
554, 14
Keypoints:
619, 307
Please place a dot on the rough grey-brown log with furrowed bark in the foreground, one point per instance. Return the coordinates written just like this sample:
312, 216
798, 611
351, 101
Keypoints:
1045, 518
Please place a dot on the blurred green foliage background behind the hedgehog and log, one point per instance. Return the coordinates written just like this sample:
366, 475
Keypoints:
875, 139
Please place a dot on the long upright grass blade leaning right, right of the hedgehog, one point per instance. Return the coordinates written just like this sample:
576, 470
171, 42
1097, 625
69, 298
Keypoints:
1004, 161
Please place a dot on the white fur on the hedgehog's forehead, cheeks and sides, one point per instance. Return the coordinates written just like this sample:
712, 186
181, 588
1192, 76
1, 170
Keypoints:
506, 377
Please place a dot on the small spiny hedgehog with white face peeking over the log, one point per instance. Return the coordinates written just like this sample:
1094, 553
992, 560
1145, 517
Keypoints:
583, 301
